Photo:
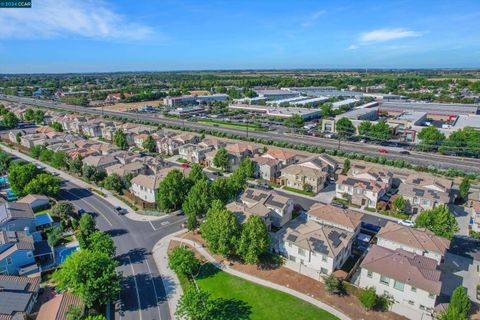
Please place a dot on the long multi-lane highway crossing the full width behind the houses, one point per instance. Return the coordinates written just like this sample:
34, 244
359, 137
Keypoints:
417, 158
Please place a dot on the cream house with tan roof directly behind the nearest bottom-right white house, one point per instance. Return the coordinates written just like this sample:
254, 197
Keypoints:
422, 242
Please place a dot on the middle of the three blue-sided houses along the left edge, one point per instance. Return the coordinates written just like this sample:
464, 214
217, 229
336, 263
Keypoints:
17, 253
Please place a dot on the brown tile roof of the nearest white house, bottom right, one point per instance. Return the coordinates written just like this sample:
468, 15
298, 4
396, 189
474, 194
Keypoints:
418, 271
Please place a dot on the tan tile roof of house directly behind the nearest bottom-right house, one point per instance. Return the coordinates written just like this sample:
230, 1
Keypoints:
422, 239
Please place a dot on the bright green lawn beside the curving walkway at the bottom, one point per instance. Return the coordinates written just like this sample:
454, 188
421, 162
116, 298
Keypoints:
255, 301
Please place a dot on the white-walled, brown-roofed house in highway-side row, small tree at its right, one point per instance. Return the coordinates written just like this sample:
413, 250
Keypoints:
363, 185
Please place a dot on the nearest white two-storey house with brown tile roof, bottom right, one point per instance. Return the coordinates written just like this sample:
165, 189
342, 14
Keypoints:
412, 280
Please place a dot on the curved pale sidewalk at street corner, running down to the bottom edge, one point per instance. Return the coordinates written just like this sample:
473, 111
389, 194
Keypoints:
173, 290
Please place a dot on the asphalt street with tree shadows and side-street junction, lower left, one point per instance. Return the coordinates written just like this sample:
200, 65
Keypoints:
143, 294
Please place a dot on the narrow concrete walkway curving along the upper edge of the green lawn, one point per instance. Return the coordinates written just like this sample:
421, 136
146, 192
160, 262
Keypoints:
259, 281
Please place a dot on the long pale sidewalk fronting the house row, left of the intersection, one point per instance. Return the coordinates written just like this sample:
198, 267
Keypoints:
109, 197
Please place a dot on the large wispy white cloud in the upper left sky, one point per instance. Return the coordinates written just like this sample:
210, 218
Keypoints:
56, 19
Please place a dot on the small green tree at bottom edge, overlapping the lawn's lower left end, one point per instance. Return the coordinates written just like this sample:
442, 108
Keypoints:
195, 304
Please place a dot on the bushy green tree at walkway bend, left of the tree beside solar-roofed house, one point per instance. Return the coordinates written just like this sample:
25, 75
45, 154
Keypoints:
221, 230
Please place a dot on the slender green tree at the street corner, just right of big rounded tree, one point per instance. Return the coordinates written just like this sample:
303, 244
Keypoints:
197, 203
